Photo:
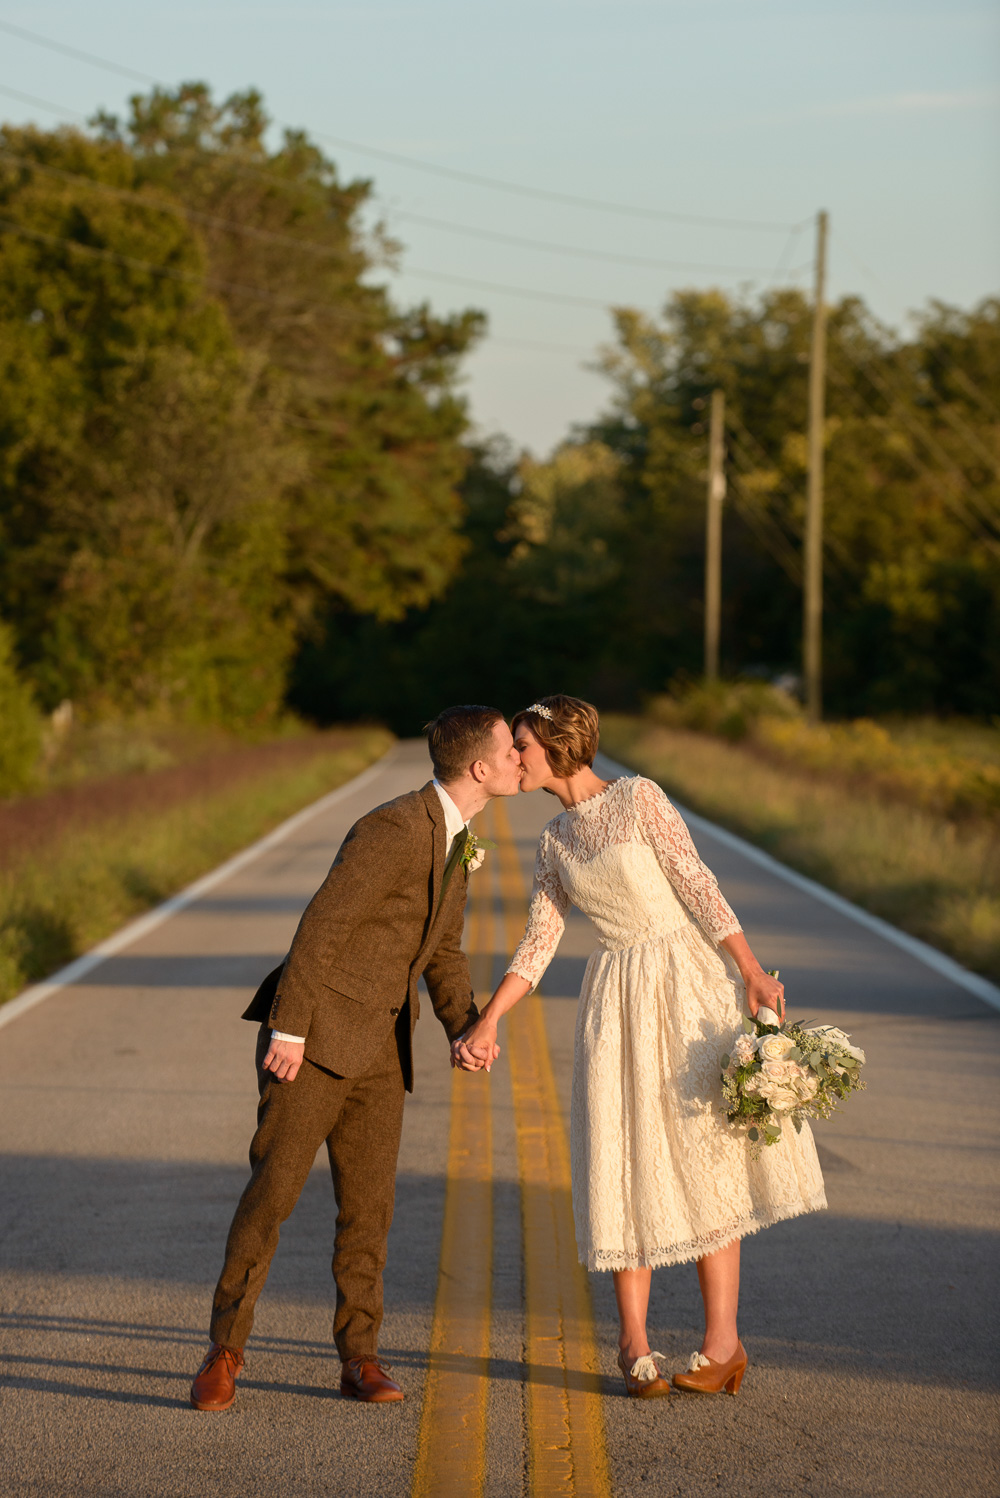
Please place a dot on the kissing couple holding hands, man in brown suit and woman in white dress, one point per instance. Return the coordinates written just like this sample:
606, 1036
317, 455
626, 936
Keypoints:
659, 1178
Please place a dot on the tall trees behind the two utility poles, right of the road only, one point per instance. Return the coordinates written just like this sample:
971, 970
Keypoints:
912, 586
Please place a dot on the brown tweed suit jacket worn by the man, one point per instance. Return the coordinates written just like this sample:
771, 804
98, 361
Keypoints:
374, 928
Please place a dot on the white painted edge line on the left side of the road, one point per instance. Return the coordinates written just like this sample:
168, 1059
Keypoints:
77, 970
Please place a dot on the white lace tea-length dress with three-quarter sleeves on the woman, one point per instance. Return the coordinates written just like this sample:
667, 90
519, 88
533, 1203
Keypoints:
659, 1177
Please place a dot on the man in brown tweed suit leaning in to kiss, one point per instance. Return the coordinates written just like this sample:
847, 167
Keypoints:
335, 1052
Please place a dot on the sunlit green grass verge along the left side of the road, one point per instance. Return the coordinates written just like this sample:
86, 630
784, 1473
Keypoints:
74, 885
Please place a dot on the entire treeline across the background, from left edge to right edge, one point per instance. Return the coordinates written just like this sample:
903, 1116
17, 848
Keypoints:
236, 479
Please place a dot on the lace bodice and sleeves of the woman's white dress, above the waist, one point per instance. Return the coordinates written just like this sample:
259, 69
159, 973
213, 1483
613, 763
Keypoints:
626, 861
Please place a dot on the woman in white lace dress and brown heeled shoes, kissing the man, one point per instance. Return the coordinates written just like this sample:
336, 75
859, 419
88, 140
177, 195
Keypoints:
659, 1175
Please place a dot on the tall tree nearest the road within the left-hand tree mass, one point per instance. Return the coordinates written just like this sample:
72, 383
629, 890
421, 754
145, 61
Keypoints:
371, 390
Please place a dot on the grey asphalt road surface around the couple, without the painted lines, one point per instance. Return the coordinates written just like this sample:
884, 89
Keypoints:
126, 1108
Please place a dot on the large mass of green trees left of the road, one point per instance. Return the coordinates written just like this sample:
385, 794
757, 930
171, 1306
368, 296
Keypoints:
210, 426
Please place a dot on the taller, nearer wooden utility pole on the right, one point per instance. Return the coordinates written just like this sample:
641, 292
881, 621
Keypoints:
814, 600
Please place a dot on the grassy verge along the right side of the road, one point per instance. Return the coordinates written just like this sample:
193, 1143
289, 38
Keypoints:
932, 876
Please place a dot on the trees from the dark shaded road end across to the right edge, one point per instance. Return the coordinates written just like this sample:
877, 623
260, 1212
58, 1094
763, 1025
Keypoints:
586, 573
